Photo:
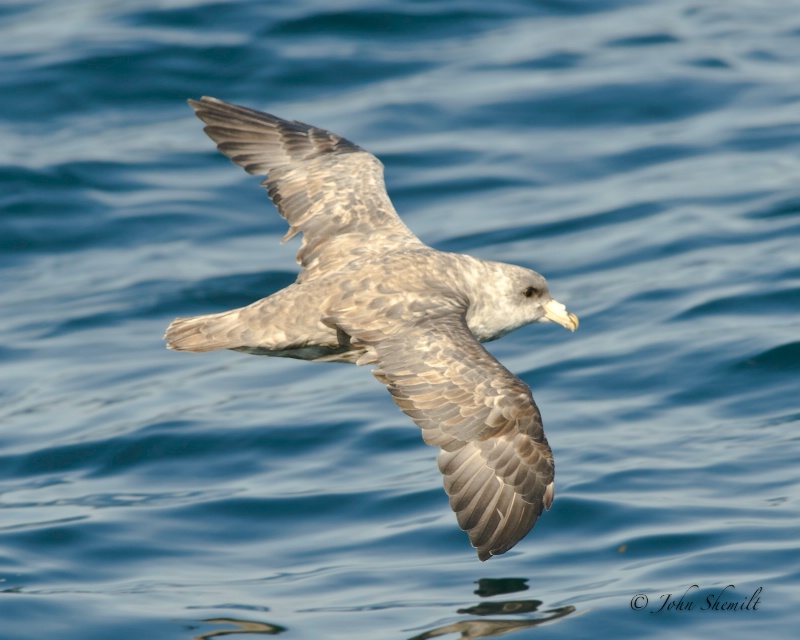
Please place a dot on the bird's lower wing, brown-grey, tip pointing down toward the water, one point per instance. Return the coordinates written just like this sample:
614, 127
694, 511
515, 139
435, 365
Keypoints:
498, 468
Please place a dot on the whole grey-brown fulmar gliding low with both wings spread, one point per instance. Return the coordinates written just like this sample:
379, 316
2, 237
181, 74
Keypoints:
370, 292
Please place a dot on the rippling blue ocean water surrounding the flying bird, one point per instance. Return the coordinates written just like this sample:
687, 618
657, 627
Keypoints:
644, 156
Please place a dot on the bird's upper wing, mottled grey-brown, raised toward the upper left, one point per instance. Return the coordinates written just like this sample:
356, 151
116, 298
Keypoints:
326, 187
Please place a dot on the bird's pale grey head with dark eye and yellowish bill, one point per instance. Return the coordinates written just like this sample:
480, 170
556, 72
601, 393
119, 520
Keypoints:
511, 297
